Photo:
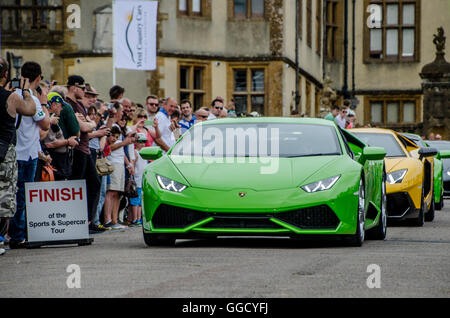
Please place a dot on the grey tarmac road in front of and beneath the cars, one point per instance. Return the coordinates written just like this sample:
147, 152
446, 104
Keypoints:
412, 262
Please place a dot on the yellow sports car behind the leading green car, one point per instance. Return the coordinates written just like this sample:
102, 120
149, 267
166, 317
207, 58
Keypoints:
409, 180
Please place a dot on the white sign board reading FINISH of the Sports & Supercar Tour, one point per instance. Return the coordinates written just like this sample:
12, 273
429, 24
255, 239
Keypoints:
56, 211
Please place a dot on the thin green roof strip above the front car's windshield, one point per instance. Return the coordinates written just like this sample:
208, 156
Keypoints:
279, 120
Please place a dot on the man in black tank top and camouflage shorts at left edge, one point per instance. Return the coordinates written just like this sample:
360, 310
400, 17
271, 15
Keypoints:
10, 105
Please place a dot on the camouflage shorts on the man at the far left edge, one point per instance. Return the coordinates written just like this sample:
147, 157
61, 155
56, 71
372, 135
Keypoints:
8, 184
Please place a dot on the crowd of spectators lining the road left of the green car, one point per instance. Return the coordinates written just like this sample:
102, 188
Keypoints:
58, 132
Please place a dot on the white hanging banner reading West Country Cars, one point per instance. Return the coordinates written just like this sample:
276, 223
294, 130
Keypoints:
135, 34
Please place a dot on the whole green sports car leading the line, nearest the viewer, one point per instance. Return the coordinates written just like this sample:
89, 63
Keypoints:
266, 177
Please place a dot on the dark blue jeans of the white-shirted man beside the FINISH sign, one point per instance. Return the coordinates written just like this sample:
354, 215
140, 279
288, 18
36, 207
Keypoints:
18, 223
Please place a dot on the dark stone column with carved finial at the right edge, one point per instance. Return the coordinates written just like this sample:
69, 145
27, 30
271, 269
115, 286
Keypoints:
436, 89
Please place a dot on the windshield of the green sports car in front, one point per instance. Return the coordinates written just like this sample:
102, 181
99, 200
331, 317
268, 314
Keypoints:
259, 140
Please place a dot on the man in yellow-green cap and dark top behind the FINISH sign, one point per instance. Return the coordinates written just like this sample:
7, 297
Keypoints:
55, 143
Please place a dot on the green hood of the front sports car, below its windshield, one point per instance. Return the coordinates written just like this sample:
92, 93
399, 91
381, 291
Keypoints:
272, 174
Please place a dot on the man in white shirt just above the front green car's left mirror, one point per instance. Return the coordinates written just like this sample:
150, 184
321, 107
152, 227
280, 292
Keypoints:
167, 139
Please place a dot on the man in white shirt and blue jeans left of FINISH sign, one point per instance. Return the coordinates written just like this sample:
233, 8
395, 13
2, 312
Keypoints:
27, 149
